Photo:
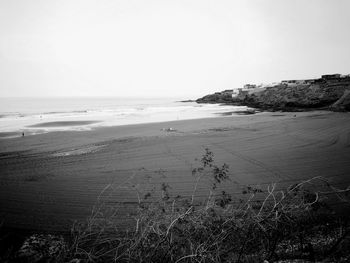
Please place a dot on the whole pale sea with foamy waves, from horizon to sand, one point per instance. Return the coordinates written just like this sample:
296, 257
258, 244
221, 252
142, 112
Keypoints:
41, 115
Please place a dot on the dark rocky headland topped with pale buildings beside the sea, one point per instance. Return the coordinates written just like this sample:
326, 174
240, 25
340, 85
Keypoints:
330, 92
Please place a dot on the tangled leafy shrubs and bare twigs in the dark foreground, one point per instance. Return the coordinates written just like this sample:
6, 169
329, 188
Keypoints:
271, 224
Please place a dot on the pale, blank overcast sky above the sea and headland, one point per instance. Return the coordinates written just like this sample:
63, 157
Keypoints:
162, 48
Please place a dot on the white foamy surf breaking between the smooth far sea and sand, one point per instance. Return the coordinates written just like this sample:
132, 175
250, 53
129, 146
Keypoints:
107, 114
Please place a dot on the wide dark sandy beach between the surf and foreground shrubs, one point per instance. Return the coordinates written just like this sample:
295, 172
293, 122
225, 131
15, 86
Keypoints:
49, 180
